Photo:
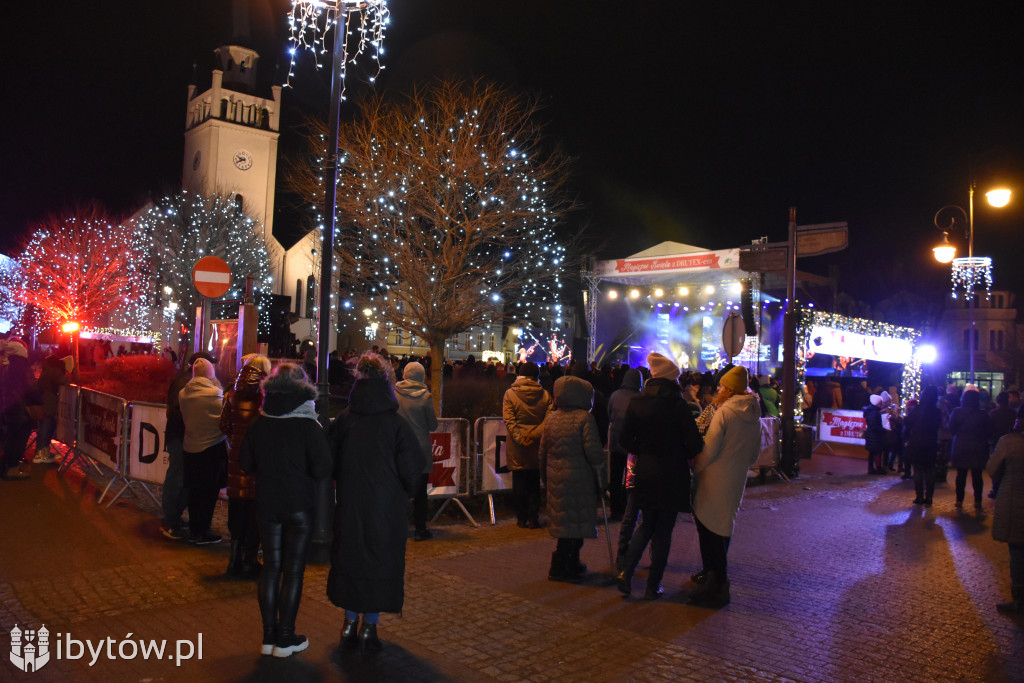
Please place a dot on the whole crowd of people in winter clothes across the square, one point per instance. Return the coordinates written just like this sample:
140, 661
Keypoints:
653, 442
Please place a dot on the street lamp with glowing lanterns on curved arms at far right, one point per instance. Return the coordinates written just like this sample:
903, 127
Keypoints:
969, 271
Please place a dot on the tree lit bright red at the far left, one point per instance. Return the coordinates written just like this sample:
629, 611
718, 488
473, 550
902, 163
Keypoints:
82, 268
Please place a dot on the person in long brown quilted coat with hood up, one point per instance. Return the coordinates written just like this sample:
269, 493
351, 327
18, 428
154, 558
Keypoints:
573, 465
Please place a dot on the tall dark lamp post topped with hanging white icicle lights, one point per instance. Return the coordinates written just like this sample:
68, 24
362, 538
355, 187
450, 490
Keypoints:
311, 21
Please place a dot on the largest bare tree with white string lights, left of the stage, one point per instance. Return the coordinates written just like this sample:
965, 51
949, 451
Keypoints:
449, 206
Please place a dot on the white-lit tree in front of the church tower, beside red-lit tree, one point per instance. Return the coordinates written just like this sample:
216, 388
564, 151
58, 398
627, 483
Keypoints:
183, 229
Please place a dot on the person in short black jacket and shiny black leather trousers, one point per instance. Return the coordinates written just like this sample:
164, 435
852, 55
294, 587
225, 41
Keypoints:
287, 451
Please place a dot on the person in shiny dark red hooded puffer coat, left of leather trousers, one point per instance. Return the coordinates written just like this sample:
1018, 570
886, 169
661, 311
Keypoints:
242, 406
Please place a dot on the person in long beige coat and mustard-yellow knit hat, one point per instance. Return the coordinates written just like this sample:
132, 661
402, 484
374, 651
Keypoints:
732, 447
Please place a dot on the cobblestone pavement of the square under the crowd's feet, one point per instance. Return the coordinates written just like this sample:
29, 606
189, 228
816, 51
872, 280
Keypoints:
835, 578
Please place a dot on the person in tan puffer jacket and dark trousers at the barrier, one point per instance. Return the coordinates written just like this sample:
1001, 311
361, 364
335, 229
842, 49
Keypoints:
524, 409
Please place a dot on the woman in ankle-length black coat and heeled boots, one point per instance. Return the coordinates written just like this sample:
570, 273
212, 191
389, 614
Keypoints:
377, 464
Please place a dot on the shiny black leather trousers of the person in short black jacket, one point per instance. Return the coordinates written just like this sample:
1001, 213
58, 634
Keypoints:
286, 540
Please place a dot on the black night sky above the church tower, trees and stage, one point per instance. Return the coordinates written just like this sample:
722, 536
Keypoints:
700, 123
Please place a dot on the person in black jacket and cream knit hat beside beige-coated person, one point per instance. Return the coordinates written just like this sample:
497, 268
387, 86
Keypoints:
661, 432
